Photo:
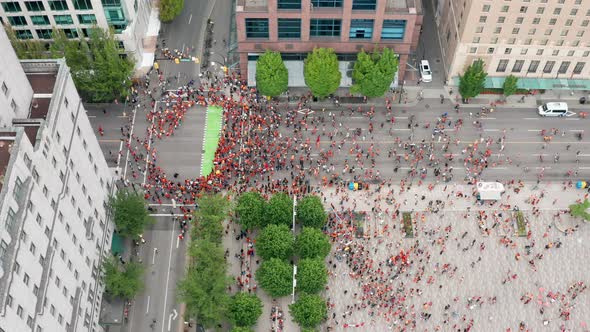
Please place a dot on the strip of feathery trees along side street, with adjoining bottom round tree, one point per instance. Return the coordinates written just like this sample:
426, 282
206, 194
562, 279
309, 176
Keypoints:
204, 287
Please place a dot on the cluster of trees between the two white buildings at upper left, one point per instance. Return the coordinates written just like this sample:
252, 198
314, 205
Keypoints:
99, 69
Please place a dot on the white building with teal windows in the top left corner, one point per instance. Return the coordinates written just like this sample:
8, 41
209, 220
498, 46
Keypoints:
134, 22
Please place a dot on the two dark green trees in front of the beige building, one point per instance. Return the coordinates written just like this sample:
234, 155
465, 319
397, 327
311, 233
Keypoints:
472, 82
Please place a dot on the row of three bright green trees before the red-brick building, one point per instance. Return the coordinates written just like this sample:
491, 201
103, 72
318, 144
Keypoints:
372, 74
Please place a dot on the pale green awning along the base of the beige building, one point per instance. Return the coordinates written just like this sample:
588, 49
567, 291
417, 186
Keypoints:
537, 83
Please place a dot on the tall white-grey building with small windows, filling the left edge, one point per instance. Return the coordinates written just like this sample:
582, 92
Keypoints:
54, 185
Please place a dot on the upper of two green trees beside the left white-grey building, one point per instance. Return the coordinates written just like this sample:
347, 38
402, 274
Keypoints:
130, 213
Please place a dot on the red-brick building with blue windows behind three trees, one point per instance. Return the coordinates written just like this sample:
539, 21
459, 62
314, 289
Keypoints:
295, 27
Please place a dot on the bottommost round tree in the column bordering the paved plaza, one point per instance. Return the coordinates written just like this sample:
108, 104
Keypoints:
309, 310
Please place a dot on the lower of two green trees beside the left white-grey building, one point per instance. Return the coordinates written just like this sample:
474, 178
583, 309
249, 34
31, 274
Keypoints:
123, 281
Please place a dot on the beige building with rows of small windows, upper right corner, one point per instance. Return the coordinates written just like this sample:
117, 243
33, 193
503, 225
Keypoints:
546, 43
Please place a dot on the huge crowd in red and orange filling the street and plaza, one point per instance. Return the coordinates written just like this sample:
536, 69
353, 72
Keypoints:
269, 146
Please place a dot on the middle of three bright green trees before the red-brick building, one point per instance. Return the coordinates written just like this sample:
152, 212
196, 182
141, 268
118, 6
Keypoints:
321, 72
